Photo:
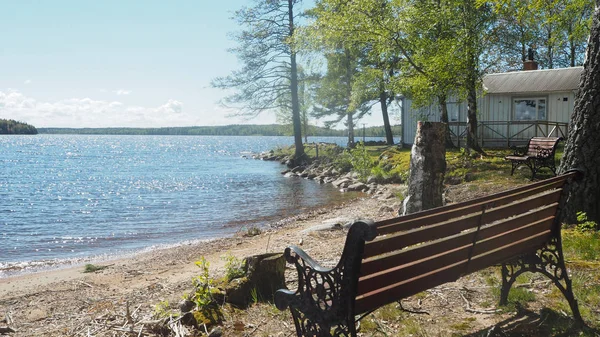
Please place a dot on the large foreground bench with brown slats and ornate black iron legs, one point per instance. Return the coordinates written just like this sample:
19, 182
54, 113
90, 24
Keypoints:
383, 262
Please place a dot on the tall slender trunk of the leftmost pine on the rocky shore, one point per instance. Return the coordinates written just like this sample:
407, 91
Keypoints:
299, 155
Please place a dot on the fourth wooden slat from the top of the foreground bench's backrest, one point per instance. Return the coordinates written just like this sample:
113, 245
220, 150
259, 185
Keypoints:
368, 283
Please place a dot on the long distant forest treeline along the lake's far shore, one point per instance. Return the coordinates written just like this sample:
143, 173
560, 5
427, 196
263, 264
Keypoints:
226, 130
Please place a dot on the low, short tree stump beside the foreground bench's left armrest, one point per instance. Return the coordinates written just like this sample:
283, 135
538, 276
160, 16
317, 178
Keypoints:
264, 274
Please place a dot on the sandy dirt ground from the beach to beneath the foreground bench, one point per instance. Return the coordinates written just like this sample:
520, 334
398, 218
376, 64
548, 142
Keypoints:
120, 300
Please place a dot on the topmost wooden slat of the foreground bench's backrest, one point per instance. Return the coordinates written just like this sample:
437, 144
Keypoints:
406, 223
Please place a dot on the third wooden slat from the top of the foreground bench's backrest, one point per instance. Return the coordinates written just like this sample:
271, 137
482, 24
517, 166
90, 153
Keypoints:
380, 263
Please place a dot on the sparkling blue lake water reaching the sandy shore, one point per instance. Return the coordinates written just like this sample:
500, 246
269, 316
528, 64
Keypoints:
68, 198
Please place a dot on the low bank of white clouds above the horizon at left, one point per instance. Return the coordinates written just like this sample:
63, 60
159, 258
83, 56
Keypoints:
87, 112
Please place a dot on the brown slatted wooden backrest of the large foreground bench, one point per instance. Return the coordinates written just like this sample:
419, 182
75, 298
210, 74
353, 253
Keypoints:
422, 250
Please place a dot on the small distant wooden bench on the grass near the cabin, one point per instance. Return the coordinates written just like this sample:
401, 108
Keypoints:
538, 153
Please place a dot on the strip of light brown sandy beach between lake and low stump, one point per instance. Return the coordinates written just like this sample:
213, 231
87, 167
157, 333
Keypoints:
68, 302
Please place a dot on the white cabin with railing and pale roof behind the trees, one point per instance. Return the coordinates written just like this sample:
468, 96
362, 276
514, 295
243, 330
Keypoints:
514, 107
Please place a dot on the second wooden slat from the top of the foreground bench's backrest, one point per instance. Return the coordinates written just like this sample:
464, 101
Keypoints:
439, 230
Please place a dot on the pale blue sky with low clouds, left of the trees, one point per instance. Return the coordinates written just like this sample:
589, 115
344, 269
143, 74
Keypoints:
117, 63
